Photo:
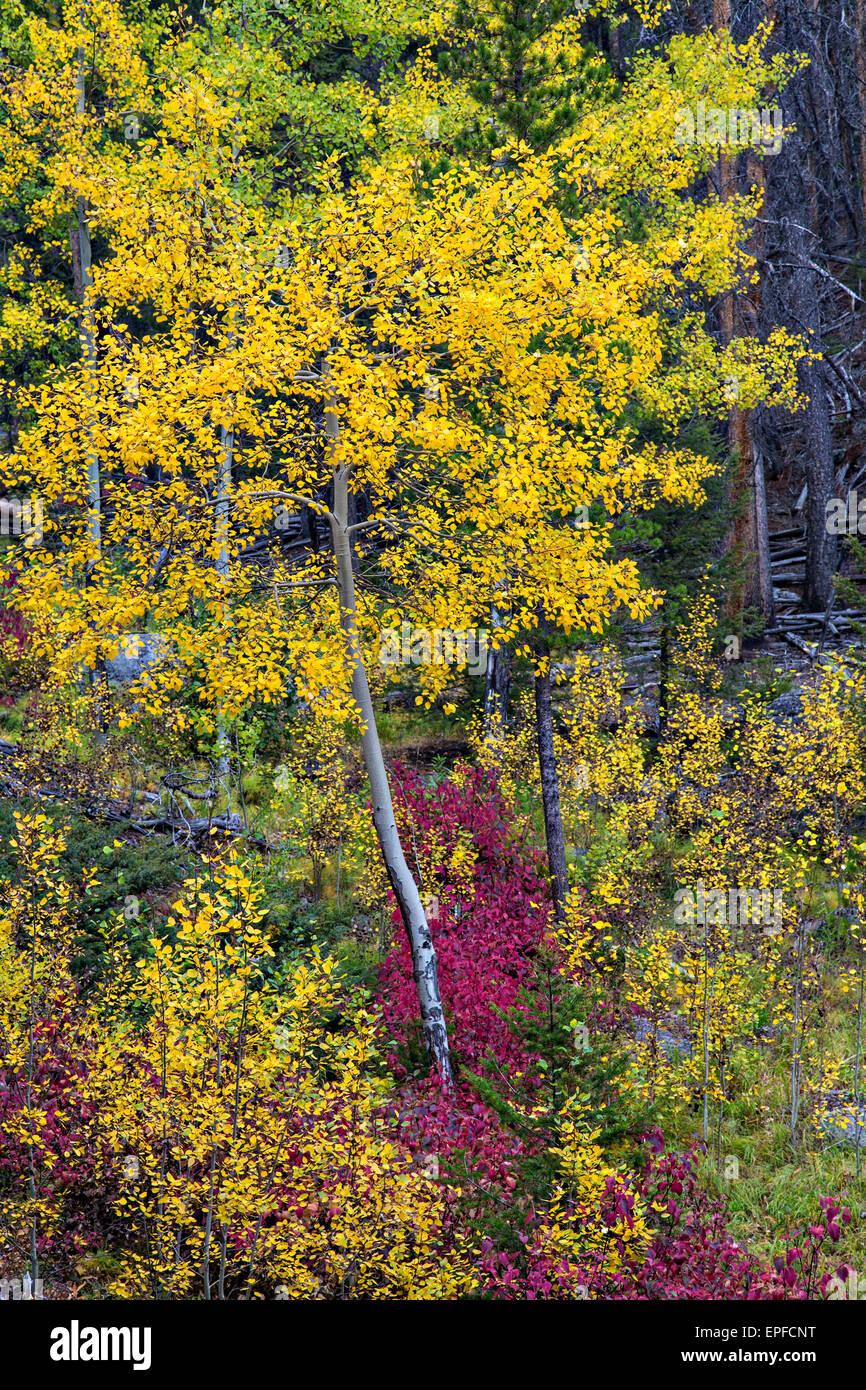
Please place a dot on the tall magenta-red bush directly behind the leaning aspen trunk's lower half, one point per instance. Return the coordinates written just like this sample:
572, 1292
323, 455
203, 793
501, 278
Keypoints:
487, 942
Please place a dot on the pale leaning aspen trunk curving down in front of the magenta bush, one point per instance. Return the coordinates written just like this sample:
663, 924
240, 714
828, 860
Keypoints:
402, 882
